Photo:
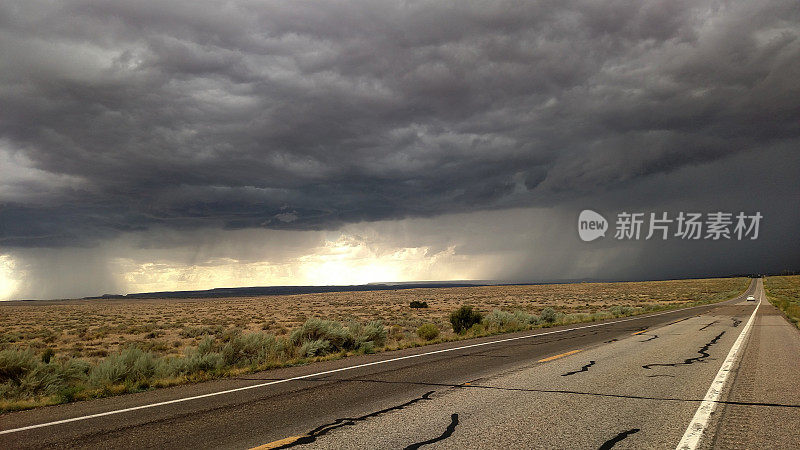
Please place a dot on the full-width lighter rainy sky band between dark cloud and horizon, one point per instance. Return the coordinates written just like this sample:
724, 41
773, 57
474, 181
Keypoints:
520, 244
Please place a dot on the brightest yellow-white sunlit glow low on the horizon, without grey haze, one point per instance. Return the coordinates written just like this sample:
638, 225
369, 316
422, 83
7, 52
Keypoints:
340, 259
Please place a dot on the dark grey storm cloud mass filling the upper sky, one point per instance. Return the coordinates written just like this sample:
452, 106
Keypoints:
310, 115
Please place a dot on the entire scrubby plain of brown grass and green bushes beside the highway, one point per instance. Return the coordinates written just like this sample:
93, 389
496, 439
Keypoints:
43, 361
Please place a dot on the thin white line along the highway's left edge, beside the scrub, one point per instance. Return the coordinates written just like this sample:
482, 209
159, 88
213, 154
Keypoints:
341, 369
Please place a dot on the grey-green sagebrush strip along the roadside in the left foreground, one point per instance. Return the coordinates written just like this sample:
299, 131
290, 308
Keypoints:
26, 377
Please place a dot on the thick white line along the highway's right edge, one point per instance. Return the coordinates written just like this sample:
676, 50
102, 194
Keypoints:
699, 424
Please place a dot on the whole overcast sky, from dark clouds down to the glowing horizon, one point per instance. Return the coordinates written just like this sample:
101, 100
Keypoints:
151, 145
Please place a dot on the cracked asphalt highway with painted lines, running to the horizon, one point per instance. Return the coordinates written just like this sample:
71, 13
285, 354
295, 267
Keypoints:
639, 382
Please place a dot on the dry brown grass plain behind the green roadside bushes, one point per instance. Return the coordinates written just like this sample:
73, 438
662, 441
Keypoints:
92, 329
